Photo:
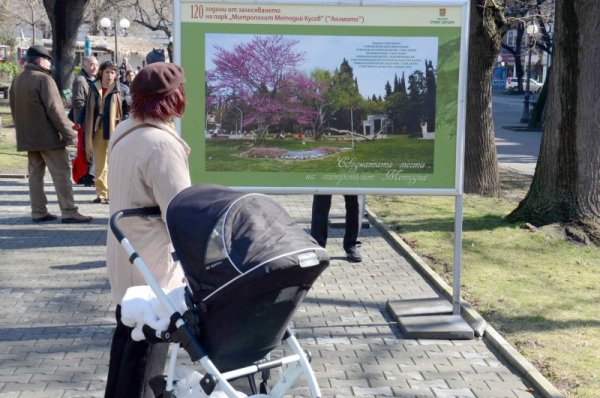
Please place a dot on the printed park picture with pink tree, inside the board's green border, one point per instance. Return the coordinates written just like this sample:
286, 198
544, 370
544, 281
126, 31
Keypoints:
303, 103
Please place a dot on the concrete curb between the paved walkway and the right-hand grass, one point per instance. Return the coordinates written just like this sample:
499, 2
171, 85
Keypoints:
482, 329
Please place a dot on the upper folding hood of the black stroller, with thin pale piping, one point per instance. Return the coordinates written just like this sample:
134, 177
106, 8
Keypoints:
252, 228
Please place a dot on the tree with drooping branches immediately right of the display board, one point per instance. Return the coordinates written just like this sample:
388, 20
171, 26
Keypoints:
489, 22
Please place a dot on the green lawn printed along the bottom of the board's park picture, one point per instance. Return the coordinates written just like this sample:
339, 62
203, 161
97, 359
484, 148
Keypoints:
225, 154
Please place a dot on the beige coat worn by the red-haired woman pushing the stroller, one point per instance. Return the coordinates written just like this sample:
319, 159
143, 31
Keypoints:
147, 167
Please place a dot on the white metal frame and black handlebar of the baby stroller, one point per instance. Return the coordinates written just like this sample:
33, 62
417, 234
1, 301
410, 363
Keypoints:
296, 364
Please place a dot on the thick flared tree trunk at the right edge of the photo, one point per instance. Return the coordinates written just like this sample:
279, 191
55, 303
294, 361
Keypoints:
566, 184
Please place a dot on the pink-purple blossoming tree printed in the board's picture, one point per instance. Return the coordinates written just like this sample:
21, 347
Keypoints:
262, 77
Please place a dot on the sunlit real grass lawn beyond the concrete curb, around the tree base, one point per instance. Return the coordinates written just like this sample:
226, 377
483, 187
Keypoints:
540, 291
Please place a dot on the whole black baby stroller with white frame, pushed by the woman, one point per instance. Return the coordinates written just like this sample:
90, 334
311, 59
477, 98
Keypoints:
248, 267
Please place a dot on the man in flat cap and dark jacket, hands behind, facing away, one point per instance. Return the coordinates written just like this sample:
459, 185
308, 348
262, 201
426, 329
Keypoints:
44, 131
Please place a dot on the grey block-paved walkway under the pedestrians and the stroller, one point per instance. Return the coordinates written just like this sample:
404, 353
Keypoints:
56, 317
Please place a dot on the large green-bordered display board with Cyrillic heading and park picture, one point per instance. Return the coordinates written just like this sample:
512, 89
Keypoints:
336, 97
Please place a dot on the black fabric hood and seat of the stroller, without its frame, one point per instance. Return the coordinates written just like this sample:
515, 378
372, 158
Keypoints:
248, 266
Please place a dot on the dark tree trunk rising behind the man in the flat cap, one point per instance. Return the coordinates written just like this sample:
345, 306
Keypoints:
65, 17
